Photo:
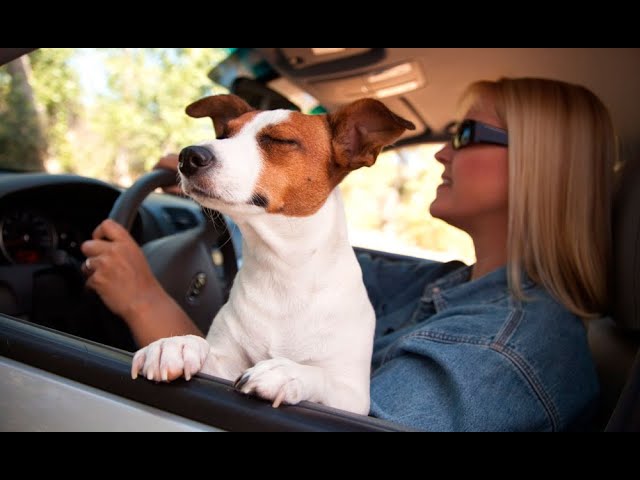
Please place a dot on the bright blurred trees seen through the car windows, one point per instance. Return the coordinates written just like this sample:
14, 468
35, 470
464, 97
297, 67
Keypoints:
112, 113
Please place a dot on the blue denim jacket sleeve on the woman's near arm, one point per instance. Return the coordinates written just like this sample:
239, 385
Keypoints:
446, 385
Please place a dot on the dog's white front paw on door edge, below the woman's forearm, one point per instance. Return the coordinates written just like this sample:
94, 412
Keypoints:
169, 358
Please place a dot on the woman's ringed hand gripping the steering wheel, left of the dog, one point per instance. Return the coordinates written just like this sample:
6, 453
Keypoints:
118, 271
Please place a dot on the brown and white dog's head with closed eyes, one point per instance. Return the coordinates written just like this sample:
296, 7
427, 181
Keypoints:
281, 161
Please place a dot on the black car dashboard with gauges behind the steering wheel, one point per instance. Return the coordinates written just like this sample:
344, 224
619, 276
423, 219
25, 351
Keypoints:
43, 221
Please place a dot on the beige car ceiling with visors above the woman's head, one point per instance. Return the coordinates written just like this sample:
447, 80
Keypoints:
442, 74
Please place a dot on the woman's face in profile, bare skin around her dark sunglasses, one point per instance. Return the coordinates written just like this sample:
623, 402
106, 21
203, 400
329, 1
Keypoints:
474, 189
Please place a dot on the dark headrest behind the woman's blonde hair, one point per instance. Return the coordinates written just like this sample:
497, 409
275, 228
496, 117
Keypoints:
626, 248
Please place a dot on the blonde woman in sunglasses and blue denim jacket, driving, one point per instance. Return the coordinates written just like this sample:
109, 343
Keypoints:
500, 345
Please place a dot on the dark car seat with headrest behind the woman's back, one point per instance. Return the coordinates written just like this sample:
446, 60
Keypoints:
614, 340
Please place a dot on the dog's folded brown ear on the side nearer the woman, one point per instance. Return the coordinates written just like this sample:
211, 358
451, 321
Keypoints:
361, 129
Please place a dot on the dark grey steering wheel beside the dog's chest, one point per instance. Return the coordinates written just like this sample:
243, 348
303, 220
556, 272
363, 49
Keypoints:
182, 262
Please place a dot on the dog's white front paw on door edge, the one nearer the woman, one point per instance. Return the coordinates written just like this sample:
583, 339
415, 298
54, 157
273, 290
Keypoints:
278, 379
